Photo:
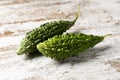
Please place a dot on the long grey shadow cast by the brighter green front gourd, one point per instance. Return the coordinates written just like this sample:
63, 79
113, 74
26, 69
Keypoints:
92, 53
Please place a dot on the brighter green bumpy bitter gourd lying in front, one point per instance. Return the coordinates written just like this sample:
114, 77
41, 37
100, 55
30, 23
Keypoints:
64, 46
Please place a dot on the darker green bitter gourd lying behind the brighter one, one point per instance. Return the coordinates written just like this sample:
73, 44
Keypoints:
42, 33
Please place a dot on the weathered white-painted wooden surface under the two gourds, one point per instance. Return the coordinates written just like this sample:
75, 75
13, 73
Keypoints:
97, 17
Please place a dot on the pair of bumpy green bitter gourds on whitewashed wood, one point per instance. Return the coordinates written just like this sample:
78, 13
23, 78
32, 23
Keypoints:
48, 40
